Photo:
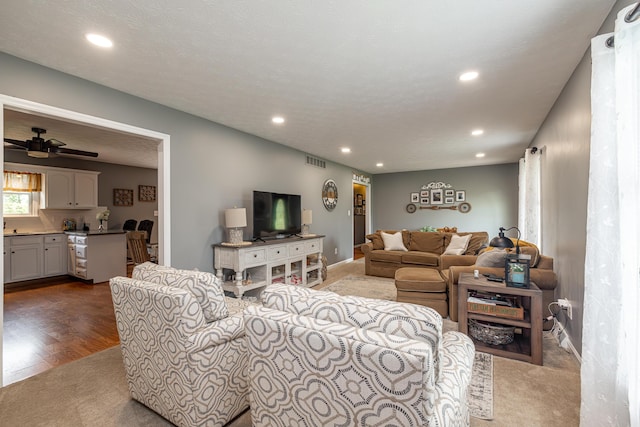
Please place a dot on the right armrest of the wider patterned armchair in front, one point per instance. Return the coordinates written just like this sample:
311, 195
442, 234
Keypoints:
451, 407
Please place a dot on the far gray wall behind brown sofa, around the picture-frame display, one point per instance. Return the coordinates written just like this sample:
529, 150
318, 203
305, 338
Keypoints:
492, 192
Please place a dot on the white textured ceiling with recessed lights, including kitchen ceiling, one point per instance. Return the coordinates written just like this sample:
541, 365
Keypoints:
380, 77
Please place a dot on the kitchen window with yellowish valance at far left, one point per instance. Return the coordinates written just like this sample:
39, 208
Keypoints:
21, 193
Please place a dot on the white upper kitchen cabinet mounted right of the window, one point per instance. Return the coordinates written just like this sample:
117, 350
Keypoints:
71, 189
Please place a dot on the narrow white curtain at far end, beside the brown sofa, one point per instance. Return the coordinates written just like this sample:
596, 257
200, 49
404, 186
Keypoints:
529, 197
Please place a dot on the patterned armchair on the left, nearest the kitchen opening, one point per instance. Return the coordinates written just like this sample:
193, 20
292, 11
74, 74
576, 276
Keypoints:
184, 353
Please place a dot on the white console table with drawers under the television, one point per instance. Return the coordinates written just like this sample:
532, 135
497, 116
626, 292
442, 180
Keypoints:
293, 260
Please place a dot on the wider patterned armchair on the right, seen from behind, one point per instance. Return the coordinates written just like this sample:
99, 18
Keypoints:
316, 358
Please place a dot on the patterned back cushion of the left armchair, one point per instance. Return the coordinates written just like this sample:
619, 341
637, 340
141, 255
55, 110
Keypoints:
204, 286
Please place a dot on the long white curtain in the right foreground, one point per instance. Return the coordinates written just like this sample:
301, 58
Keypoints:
610, 377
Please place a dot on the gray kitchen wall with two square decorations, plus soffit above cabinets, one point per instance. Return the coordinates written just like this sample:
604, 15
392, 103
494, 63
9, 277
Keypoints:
111, 176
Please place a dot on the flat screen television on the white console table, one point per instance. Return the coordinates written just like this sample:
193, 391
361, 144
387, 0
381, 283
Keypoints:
276, 215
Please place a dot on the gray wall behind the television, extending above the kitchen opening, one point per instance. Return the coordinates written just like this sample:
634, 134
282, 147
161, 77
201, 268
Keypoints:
213, 167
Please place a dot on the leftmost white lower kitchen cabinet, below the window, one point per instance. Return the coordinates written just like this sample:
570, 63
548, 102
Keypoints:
25, 257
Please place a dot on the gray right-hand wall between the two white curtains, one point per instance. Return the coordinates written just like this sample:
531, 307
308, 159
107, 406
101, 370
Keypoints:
565, 139
